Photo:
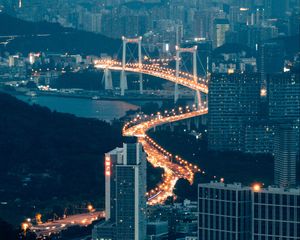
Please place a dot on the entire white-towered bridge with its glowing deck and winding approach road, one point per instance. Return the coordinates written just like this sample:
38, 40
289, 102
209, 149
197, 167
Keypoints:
174, 166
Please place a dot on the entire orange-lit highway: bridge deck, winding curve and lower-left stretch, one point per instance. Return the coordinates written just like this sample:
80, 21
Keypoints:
174, 166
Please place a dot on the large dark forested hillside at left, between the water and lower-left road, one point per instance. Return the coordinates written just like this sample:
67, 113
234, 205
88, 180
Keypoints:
46, 154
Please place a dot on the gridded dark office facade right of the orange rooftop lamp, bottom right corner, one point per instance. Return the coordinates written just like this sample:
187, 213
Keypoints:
276, 214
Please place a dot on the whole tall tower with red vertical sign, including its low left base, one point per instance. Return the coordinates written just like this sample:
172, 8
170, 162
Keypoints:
125, 194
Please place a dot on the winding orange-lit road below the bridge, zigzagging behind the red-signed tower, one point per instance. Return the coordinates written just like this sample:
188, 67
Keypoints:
174, 166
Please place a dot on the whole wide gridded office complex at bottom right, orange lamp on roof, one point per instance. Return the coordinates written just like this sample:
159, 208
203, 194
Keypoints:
235, 212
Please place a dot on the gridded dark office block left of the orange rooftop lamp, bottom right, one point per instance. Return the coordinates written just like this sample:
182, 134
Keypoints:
224, 211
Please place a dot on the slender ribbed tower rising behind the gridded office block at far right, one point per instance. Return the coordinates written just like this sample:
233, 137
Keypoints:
285, 153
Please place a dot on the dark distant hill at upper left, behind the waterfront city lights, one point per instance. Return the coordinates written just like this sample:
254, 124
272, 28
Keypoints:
51, 37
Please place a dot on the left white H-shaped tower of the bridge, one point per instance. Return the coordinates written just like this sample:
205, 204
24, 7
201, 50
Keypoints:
123, 80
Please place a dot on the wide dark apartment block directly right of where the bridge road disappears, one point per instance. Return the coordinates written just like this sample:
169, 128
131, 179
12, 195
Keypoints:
233, 99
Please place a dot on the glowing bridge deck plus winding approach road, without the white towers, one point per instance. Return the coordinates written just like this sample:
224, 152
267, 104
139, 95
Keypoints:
174, 167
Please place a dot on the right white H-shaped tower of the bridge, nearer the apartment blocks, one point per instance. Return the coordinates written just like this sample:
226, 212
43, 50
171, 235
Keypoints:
193, 51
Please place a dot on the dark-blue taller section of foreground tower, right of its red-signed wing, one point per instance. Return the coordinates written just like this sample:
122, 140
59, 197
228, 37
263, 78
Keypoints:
131, 194
